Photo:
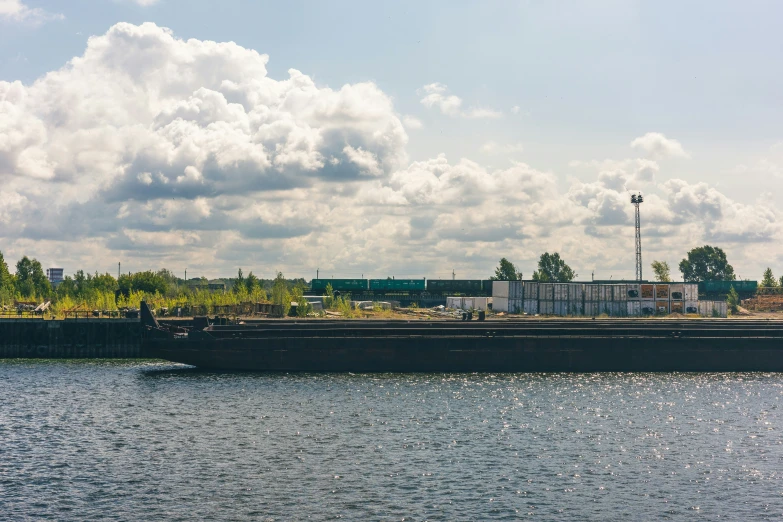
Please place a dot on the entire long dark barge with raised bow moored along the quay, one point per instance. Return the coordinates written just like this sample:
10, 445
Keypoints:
579, 345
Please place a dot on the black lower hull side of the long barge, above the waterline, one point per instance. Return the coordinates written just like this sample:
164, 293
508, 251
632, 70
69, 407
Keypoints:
477, 354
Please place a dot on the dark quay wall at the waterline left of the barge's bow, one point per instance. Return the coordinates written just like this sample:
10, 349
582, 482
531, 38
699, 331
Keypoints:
70, 338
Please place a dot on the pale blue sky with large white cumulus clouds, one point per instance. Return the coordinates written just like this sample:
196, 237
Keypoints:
406, 139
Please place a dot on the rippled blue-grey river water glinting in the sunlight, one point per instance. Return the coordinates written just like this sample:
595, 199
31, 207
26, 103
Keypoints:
130, 440
